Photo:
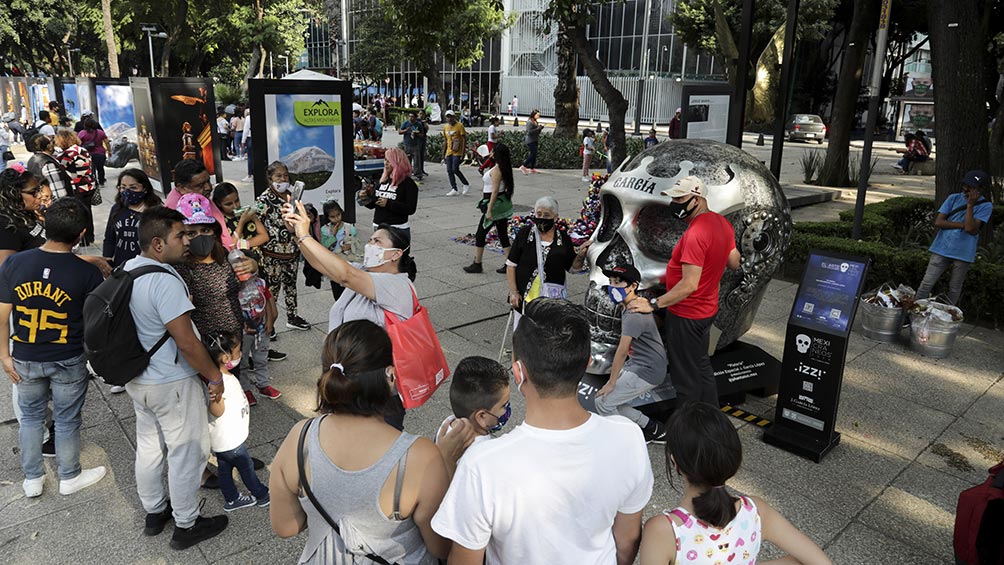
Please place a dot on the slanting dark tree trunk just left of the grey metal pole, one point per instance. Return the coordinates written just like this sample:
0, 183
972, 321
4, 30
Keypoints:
835, 168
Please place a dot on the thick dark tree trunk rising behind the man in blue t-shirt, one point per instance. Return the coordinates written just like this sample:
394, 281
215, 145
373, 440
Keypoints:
957, 71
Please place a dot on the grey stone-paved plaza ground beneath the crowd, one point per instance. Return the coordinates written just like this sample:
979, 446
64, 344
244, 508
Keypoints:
916, 431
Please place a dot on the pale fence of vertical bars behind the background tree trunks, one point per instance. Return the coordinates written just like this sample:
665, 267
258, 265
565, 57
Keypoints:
660, 100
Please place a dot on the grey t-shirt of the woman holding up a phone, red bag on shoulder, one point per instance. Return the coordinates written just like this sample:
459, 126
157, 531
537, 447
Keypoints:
394, 294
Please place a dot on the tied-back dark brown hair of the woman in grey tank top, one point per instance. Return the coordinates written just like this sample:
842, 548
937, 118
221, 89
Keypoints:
355, 363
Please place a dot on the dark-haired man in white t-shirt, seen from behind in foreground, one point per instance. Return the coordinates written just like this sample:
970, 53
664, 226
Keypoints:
564, 487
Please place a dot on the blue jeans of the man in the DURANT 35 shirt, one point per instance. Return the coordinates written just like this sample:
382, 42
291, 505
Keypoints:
67, 383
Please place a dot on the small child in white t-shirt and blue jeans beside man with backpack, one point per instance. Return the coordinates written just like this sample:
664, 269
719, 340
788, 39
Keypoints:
228, 428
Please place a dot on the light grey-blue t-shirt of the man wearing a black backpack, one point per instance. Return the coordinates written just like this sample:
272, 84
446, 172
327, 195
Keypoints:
159, 299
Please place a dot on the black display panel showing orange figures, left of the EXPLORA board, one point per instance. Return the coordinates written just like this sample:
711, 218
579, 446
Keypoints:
182, 127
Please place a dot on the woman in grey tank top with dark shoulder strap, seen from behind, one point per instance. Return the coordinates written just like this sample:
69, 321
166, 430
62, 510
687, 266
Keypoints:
370, 491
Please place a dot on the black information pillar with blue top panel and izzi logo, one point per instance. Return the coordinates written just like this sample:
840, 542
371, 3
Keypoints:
816, 348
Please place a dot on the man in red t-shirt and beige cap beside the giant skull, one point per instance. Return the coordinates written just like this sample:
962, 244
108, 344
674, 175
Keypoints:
693, 276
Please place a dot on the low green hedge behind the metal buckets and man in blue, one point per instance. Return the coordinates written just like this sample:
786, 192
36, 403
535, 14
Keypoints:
896, 255
